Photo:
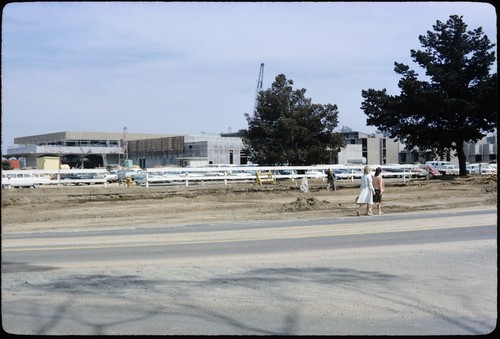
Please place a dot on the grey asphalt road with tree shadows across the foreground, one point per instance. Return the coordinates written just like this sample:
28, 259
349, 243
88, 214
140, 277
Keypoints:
408, 274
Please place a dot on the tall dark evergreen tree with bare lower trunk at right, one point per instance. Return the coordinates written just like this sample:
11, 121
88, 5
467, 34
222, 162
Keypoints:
458, 102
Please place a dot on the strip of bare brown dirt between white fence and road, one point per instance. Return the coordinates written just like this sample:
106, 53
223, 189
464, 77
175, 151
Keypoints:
96, 206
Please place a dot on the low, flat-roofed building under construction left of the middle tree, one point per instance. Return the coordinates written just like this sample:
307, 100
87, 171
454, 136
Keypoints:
101, 149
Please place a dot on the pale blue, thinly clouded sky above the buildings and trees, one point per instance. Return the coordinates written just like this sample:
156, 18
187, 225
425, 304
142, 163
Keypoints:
190, 68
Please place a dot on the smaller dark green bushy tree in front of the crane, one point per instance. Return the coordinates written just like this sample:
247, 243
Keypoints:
288, 129
